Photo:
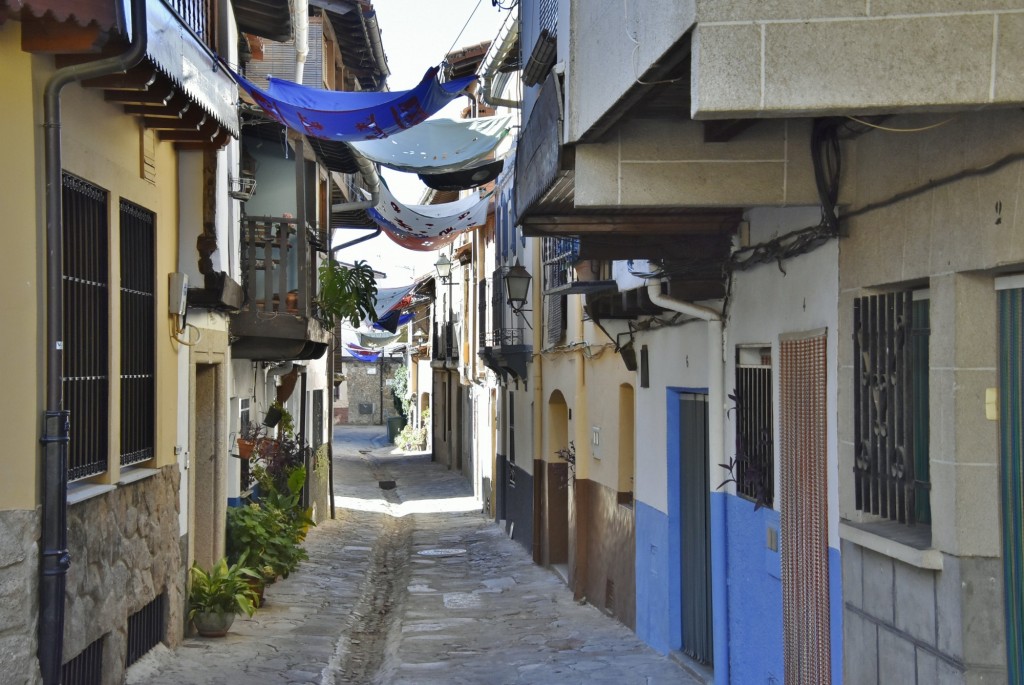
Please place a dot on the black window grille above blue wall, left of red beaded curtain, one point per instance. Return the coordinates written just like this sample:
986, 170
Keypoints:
755, 435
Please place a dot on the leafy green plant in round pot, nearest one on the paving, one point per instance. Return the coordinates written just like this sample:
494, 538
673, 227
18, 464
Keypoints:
219, 594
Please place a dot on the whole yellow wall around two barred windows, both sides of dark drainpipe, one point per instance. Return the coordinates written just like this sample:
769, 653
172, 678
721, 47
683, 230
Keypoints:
102, 145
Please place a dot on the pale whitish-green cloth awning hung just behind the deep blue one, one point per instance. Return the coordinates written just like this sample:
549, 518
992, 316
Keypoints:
439, 146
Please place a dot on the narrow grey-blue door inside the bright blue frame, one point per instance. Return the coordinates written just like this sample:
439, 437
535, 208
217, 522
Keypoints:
695, 529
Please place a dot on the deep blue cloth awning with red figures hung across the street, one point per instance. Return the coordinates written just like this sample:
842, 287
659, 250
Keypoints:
354, 116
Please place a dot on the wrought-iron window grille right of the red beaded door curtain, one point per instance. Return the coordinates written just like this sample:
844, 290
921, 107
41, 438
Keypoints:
891, 407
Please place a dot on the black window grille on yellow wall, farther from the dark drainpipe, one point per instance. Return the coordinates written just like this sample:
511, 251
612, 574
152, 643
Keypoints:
138, 363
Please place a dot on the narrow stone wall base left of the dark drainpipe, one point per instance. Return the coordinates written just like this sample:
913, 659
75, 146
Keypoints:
20, 595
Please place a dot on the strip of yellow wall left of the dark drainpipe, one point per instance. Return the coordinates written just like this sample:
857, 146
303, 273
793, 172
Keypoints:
21, 401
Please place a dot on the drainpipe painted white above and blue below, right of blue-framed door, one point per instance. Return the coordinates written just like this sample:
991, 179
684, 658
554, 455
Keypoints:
716, 450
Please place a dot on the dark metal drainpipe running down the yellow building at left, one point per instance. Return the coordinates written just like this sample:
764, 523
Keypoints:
55, 559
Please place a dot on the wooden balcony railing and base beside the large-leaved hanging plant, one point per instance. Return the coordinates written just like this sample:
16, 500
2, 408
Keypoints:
278, 320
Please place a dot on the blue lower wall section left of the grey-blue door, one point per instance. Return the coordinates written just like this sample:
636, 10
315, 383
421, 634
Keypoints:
654, 588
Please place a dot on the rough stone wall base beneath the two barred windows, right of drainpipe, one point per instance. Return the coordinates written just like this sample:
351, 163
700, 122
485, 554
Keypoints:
125, 550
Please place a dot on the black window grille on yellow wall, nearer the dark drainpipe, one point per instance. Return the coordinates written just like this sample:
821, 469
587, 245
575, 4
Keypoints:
87, 290
